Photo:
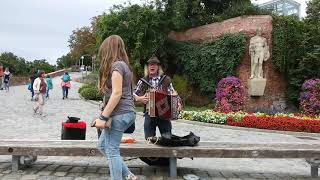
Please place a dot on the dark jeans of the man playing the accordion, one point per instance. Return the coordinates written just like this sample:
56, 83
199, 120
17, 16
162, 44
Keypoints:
151, 123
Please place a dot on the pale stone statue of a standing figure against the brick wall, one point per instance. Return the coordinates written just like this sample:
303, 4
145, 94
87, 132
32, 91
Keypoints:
259, 52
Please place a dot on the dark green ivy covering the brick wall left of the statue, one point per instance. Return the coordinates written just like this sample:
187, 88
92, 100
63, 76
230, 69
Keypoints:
204, 64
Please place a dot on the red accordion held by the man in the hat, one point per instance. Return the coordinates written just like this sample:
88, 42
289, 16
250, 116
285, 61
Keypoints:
162, 105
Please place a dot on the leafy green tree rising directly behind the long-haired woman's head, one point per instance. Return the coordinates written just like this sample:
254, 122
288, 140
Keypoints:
141, 27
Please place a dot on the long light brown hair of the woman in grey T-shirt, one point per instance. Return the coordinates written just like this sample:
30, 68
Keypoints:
111, 50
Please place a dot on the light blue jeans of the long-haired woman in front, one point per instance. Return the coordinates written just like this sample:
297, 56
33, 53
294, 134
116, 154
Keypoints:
109, 143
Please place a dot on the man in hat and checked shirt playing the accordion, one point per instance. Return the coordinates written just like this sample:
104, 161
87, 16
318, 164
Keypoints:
154, 79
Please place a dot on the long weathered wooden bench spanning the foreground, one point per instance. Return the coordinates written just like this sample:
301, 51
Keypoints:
306, 150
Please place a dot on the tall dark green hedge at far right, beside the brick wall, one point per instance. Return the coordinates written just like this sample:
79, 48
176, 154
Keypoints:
294, 55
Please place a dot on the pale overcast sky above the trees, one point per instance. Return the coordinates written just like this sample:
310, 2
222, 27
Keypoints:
40, 29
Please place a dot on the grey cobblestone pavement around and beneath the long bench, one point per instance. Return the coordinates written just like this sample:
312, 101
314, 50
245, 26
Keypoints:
18, 122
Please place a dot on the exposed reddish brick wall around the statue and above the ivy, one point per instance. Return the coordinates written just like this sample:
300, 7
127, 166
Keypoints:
274, 93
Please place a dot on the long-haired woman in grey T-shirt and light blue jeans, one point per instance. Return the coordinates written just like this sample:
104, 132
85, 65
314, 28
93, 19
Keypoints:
115, 82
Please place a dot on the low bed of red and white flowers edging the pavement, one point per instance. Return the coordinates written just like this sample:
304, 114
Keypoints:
280, 121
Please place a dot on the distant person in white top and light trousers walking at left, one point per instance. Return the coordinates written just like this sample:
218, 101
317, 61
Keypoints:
39, 87
